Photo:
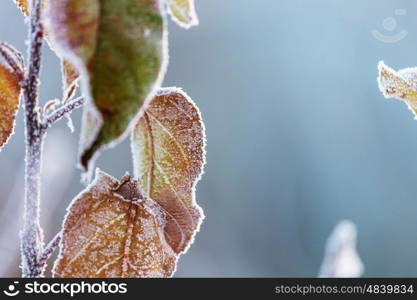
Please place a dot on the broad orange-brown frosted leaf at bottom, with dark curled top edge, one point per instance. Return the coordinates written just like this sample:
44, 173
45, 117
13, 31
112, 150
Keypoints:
111, 230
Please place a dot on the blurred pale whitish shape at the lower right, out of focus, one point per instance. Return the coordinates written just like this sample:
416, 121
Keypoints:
341, 259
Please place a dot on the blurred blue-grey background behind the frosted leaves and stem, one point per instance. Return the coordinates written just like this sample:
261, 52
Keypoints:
299, 137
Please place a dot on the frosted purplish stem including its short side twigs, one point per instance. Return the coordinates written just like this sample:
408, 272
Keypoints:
34, 255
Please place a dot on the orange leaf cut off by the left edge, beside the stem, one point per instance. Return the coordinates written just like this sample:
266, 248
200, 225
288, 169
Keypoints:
9, 102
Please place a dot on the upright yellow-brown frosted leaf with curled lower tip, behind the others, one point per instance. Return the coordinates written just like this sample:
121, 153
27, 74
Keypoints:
168, 153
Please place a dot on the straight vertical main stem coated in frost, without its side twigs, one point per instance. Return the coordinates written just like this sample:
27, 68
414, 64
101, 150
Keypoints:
31, 235
